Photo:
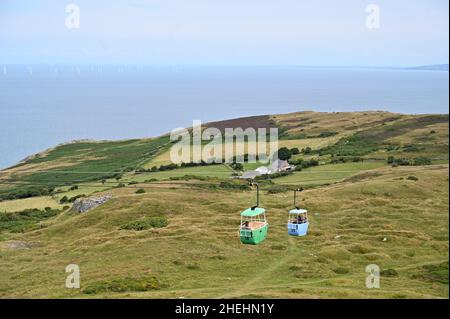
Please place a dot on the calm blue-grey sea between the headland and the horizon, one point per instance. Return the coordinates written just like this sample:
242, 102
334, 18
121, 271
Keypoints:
44, 105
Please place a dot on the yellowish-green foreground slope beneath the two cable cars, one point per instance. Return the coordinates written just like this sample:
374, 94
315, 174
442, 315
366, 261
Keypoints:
397, 223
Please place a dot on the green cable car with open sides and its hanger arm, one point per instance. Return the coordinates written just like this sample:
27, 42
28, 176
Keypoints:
254, 226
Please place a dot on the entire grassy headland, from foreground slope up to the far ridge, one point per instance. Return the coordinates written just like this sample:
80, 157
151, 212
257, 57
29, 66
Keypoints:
177, 237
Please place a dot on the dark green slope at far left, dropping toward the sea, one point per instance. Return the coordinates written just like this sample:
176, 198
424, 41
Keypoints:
79, 162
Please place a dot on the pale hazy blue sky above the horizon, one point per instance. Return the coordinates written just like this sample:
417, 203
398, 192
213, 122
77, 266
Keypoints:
231, 32
